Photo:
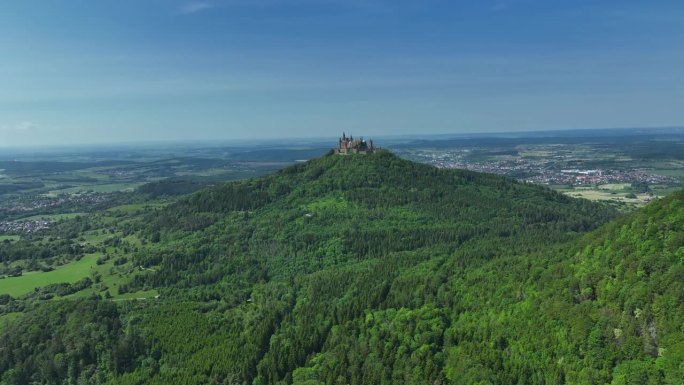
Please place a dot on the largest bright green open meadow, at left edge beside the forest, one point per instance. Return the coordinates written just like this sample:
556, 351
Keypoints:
73, 272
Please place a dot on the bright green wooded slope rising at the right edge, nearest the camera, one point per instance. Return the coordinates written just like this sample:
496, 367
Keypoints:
616, 298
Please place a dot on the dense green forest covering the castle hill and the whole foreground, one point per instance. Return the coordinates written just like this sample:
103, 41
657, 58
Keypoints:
373, 270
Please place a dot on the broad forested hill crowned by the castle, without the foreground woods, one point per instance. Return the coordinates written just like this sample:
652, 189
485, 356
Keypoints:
340, 209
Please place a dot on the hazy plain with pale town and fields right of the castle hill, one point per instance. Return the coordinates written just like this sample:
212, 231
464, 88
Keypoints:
622, 174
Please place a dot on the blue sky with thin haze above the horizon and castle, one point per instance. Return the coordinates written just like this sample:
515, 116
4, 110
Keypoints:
83, 71
